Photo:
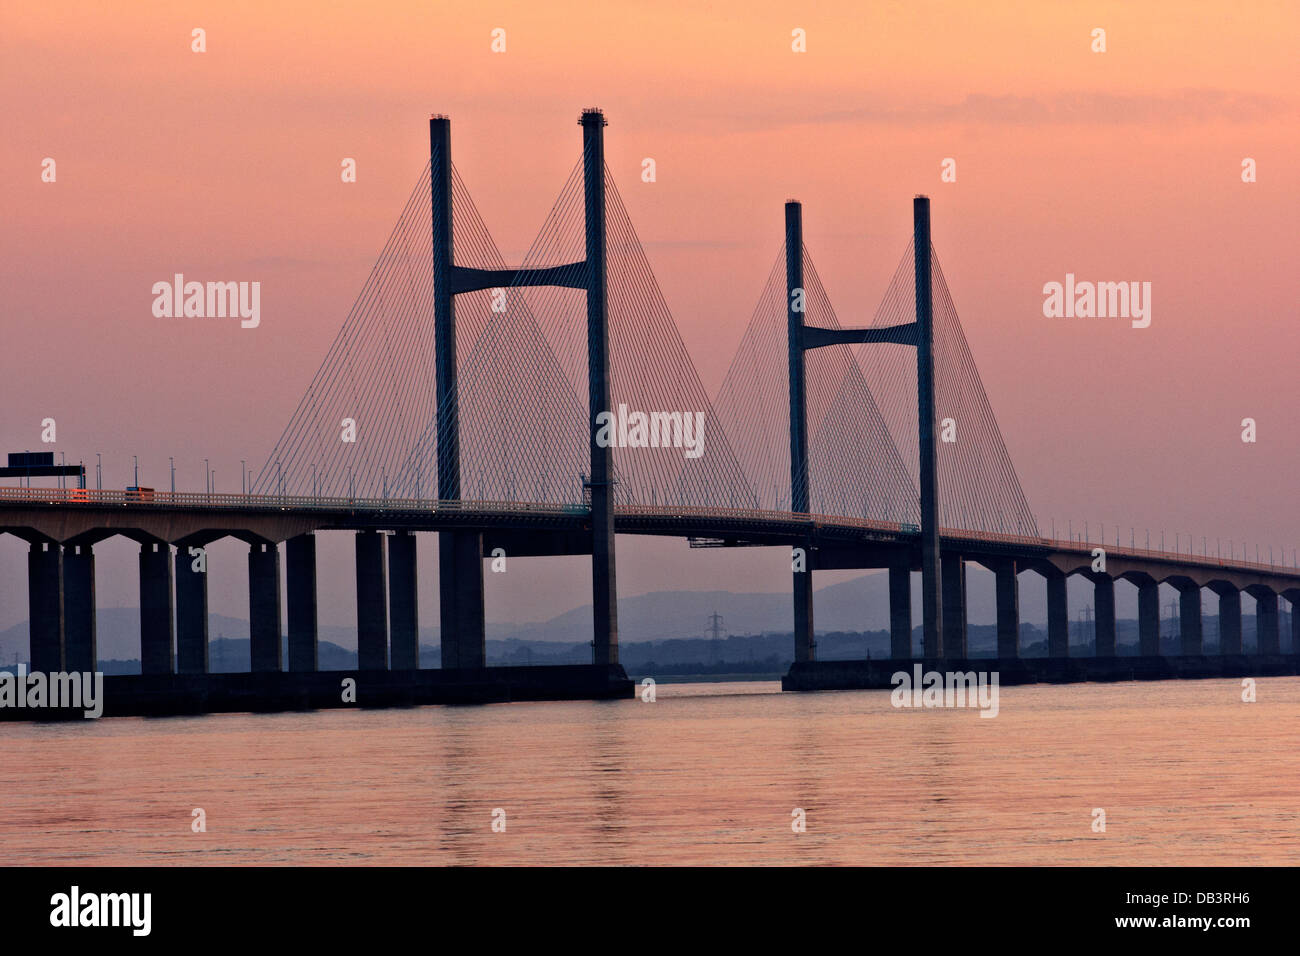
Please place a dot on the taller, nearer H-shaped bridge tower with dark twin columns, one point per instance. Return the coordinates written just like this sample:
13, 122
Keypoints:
461, 552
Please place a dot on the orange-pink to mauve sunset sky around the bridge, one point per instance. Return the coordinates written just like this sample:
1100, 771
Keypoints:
1117, 166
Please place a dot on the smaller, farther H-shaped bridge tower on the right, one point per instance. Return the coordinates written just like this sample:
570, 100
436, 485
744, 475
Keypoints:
921, 336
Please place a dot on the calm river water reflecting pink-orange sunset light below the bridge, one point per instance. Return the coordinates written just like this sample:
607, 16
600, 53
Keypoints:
708, 775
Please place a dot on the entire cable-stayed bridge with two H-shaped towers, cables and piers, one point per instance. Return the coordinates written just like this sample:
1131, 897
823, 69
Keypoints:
452, 403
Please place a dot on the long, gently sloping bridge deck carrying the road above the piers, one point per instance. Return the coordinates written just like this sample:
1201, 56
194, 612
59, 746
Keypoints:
72, 516
